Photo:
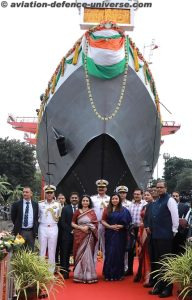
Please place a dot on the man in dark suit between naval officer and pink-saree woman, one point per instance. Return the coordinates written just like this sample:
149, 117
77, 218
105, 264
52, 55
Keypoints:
67, 233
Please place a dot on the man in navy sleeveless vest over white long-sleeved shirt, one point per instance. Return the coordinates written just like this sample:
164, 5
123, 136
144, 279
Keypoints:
164, 222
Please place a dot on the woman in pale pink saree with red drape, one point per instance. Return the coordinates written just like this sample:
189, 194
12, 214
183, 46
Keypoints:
85, 226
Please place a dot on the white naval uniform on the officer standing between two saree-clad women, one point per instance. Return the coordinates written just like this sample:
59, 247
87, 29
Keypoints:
99, 203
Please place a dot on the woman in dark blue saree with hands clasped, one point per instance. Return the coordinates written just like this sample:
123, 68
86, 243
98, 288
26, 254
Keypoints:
116, 219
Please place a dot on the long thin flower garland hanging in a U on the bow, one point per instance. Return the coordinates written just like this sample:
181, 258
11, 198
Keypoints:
122, 92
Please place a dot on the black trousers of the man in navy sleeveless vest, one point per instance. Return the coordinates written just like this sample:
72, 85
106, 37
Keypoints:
161, 247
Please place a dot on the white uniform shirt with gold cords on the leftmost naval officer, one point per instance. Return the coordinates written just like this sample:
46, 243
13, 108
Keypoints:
49, 212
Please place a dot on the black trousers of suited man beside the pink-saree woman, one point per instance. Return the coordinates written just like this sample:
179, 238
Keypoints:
66, 250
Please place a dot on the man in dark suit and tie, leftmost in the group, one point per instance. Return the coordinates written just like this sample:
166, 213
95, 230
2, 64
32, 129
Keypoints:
24, 215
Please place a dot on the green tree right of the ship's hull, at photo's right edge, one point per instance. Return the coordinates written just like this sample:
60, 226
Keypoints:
173, 171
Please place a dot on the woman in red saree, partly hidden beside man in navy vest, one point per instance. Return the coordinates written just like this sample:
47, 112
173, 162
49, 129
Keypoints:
144, 268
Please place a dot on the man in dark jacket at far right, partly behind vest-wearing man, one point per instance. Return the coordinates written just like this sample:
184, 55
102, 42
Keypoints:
181, 236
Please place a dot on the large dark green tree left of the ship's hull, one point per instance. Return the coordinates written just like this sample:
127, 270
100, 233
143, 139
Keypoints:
17, 162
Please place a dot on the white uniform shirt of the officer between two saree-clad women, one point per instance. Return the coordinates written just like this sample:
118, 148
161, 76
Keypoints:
99, 203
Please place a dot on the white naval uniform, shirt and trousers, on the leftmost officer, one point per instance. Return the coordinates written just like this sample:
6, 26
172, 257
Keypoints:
48, 229
